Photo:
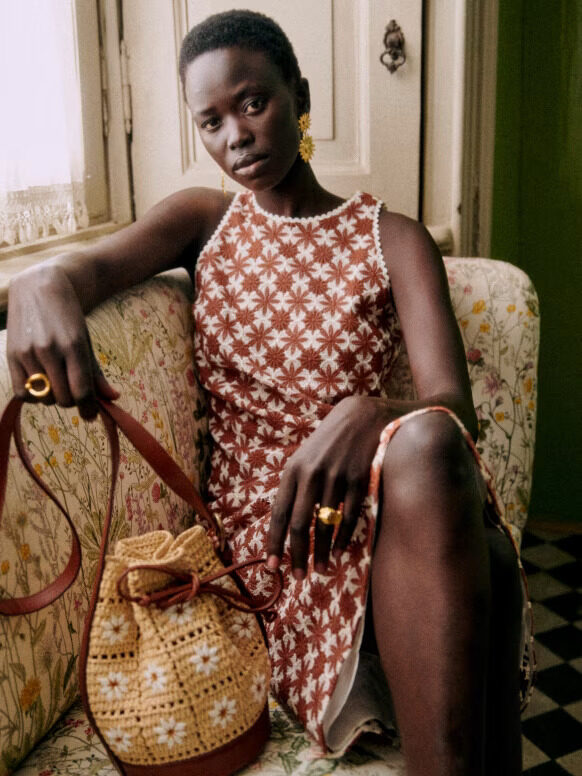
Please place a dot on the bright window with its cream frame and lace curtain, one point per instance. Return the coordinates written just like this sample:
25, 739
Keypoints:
54, 176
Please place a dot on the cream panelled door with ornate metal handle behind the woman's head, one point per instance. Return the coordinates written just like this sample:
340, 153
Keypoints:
365, 120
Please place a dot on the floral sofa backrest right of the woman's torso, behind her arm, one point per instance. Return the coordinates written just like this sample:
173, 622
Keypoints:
497, 309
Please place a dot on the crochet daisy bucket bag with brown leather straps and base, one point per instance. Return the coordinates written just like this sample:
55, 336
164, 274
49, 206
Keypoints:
174, 670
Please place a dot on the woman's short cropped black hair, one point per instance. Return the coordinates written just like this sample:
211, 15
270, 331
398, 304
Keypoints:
247, 29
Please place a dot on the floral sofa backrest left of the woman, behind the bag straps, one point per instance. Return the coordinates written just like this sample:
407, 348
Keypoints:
143, 339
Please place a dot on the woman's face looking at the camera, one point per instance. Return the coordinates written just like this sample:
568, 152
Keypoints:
246, 115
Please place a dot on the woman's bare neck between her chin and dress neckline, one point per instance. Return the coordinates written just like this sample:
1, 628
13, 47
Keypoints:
299, 195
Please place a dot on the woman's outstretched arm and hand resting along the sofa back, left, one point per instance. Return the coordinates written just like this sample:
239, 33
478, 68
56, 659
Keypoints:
47, 303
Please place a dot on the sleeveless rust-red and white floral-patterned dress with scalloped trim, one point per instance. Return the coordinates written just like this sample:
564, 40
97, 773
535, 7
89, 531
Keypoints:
291, 316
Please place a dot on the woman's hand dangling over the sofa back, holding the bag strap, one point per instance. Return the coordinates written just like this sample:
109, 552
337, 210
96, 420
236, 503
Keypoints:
46, 332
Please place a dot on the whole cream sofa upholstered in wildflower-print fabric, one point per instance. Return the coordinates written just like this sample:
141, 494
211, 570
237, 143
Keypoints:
143, 339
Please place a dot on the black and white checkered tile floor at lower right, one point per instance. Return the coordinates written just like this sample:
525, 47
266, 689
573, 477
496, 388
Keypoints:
552, 724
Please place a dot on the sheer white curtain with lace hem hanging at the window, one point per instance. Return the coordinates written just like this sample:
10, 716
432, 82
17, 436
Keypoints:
41, 132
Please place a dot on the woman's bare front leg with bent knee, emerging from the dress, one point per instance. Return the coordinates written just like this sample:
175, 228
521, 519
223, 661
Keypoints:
431, 597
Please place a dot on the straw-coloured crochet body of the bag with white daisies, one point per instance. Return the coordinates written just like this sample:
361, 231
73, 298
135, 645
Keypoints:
166, 685
